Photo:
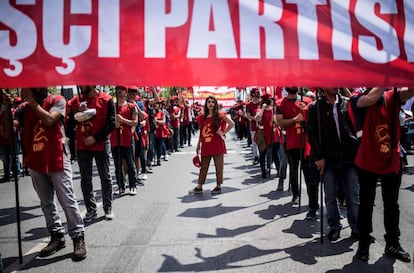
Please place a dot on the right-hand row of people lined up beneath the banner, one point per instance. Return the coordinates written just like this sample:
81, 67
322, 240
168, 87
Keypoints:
346, 138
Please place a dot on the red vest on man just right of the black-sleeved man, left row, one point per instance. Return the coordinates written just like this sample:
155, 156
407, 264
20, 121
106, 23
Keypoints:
124, 131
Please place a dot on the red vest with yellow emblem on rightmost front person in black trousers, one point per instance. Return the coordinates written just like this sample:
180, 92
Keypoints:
375, 153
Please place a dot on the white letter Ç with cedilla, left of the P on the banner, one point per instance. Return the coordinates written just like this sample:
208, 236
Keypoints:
79, 36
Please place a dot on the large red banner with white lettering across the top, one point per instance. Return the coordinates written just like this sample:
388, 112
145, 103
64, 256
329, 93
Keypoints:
207, 42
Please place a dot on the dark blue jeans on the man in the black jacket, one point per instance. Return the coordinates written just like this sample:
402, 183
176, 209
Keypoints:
341, 175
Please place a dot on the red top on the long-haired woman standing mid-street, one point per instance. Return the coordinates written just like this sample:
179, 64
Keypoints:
211, 142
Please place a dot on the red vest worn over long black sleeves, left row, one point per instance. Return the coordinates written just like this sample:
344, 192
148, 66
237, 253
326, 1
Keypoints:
93, 126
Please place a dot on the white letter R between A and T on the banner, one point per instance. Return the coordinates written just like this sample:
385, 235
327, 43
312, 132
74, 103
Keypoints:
251, 23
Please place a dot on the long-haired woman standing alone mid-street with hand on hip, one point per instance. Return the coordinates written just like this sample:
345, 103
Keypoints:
214, 125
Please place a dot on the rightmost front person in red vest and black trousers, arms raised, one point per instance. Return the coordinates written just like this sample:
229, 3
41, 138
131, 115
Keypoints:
378, 159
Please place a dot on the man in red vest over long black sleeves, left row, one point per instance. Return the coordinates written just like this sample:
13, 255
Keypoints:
95, 112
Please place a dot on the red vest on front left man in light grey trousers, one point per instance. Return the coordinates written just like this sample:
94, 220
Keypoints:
43, 145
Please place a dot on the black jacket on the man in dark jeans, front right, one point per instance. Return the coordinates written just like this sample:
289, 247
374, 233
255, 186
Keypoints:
330, 146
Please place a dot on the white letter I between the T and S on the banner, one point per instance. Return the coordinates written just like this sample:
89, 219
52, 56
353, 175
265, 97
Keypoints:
342, 31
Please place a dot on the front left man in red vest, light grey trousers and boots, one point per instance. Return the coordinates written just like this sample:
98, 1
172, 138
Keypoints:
48, 158
